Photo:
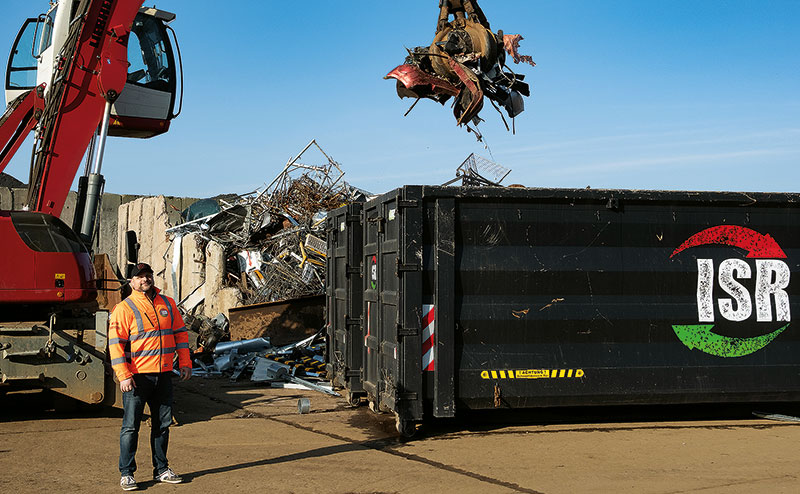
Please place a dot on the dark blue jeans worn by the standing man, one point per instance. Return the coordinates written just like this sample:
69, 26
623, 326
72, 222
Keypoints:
156, 391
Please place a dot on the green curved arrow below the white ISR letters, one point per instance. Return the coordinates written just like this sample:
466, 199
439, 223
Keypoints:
701, 337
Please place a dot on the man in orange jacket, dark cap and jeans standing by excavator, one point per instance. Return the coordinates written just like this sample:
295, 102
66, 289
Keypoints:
145, 331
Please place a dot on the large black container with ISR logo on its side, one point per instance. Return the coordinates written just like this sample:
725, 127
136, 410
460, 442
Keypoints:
481, 298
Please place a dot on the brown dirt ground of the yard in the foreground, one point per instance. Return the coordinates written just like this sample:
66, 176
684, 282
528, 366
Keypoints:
237, 437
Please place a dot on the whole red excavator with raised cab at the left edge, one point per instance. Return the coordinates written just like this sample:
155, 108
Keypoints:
82, 71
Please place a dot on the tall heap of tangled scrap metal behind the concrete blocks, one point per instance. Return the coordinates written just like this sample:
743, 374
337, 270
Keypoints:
274, 238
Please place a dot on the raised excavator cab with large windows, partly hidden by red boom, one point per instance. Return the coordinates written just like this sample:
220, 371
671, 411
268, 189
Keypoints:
147, 103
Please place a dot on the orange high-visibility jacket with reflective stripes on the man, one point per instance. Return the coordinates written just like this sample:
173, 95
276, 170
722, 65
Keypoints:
144, 335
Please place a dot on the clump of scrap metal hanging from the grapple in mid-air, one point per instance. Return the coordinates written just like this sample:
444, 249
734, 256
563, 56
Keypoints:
466, 61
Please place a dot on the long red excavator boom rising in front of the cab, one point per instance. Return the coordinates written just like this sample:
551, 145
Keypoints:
90, 75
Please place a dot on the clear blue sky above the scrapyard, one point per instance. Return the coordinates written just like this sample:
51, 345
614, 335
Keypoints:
682, 95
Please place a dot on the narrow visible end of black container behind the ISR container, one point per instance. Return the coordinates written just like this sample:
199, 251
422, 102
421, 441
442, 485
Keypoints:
344, 299
